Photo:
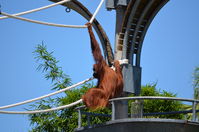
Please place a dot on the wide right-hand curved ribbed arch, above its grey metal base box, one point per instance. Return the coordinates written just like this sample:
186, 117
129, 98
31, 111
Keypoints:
138, 17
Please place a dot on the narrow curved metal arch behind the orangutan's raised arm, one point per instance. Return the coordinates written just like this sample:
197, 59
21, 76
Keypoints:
82, 10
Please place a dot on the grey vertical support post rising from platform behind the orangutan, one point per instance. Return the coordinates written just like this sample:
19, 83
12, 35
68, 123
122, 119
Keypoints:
120, 107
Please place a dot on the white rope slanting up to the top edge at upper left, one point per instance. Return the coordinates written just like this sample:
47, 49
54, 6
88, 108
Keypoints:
37, 9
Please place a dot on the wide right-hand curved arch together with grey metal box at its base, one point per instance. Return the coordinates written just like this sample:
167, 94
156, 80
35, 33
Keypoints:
136, 21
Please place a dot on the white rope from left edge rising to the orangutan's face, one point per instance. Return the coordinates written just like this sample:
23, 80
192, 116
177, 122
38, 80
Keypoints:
41, 97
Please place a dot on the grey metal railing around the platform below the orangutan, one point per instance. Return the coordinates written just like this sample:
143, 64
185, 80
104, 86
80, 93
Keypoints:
112, 101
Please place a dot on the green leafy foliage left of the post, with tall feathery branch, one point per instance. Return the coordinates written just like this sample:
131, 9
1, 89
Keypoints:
62, 120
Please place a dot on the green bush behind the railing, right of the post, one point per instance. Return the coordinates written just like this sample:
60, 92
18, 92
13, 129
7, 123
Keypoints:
153, 106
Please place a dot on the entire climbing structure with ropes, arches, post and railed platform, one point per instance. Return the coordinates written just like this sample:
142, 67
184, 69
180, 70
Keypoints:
133, 20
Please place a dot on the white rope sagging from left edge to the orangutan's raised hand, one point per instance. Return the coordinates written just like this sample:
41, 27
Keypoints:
44, 23
